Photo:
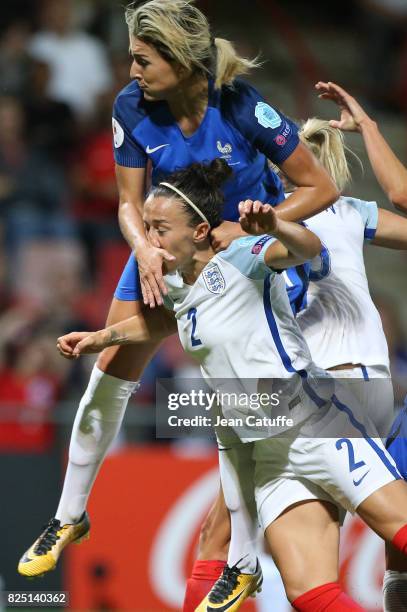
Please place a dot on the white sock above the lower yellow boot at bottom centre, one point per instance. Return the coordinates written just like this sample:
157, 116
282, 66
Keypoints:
237, 476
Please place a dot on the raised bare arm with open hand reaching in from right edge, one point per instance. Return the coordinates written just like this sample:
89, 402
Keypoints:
389, 171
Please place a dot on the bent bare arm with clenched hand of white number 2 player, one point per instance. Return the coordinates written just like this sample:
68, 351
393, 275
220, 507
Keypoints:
295, 243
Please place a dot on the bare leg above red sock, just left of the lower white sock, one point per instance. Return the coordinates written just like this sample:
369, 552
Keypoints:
215, 531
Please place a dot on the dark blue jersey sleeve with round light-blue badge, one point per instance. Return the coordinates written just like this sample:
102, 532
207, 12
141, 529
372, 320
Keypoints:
268, 130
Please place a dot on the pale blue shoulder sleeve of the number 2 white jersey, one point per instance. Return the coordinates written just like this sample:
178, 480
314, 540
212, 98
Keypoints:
247, 255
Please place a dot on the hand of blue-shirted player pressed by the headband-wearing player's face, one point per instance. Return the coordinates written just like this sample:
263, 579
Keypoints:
150, 262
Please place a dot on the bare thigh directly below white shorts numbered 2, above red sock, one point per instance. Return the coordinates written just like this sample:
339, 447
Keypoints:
304, 543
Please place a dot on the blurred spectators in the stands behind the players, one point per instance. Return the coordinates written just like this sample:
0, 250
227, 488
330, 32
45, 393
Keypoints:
62, 63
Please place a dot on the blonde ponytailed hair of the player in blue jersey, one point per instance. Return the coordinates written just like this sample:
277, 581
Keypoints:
180, 32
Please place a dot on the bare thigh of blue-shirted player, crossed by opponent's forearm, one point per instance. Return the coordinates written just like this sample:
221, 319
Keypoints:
127, 362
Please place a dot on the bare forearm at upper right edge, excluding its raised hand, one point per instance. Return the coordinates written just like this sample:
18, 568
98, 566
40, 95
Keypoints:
389, 171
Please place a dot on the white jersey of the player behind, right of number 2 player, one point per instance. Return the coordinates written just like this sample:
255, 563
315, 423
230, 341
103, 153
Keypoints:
341, 323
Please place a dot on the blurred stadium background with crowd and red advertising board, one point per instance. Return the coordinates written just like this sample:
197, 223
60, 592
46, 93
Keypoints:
61, 254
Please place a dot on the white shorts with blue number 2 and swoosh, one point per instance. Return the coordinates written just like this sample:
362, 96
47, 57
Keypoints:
342, 470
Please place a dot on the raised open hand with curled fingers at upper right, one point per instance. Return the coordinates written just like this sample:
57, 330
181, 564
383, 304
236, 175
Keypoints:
352, 114
